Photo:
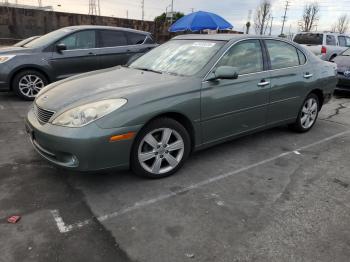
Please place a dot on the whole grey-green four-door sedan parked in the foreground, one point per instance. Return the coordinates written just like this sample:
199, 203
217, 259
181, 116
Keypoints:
190, 93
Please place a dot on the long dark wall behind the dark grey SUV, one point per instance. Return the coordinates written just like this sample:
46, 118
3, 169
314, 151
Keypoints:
19, 23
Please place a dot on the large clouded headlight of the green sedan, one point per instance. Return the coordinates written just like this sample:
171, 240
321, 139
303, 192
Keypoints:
85, 114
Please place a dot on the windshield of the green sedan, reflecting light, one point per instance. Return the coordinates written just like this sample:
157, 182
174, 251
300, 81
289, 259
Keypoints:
181, 57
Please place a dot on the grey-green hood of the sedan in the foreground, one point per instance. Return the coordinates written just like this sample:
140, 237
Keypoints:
117, 82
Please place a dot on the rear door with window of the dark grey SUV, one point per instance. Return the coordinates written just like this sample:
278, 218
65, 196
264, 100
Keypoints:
113, 48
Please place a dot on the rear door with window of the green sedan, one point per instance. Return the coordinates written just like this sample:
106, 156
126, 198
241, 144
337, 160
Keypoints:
288, 75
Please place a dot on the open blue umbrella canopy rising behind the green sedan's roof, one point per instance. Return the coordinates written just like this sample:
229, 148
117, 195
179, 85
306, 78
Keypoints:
200, 20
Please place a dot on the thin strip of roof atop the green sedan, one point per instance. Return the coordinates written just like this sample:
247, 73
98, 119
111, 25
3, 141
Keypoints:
225, 37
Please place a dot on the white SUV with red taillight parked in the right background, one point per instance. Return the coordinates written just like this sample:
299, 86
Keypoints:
325, 45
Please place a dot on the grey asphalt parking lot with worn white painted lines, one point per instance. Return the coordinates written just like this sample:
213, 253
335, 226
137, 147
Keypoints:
272, 196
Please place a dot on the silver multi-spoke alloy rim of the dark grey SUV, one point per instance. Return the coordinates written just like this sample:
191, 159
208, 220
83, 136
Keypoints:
30, 85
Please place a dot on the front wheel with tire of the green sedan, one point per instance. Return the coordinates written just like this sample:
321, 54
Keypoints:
160, 149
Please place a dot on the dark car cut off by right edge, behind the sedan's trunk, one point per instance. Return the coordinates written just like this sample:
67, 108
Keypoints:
343, 63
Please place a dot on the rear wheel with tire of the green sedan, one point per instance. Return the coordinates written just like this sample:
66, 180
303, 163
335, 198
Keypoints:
308, 114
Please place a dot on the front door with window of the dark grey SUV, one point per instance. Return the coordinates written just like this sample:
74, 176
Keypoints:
79, 57
